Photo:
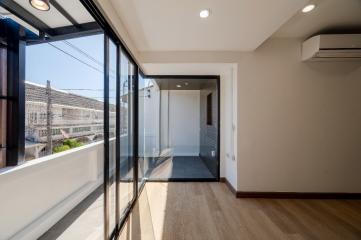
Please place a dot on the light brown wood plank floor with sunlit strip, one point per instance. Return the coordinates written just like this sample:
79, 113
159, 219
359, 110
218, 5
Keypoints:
209, 211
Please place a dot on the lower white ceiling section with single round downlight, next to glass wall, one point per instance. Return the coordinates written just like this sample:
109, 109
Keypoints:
175, 25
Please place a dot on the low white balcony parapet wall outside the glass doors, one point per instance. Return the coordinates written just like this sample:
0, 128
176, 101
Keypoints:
38, 193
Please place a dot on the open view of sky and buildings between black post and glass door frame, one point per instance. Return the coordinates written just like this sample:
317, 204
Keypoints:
64, 95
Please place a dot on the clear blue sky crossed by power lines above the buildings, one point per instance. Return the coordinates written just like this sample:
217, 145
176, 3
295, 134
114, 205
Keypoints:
45, 62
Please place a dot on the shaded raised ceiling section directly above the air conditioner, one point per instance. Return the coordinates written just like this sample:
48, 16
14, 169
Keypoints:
330, 16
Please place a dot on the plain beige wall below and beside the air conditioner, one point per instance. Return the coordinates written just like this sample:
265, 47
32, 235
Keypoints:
299, 123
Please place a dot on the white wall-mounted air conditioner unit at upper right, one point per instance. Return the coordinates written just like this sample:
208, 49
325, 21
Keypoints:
333, 47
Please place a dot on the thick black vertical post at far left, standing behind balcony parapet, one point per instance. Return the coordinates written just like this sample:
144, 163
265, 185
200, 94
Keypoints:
15, 124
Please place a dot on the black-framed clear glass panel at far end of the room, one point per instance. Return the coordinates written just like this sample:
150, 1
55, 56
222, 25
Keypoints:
178, 128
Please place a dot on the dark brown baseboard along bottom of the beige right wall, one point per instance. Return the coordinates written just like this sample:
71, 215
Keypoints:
290, 195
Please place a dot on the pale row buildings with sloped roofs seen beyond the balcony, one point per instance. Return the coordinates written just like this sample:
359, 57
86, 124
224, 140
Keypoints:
72, 117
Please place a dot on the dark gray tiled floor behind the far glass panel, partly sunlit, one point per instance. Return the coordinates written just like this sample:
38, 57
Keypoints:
179, 168
